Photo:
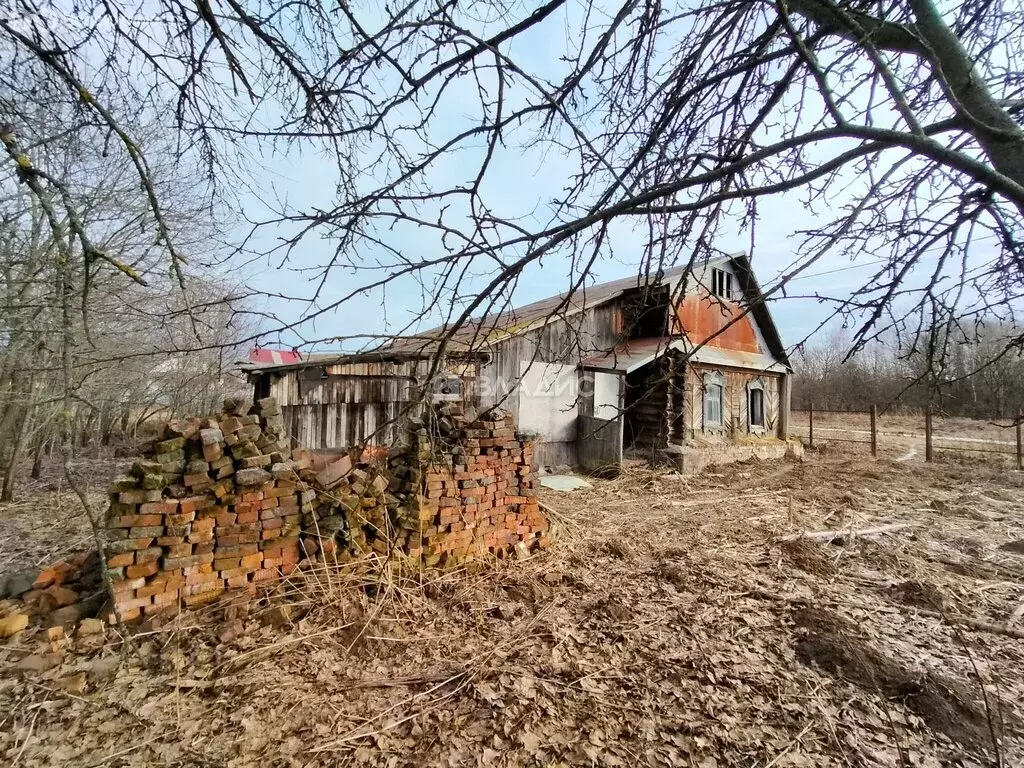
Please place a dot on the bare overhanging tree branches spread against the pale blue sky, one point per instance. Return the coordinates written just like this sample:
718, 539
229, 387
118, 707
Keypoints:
895, 123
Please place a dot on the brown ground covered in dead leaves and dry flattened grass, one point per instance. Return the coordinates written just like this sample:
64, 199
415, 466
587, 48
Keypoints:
670, 624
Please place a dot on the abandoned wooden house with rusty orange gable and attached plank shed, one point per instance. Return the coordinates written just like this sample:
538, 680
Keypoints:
687, 366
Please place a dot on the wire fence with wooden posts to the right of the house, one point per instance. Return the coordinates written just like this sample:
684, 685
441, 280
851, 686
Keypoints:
816, 426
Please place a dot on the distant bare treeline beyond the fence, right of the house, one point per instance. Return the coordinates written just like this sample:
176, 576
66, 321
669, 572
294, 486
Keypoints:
982, 377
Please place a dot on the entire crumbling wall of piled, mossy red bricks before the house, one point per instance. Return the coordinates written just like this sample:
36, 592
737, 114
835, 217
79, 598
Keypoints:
224, 503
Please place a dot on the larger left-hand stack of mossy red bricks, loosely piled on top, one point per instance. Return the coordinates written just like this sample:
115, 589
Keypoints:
216, 504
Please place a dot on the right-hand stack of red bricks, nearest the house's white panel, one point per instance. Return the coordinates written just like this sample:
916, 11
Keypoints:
466, 490
